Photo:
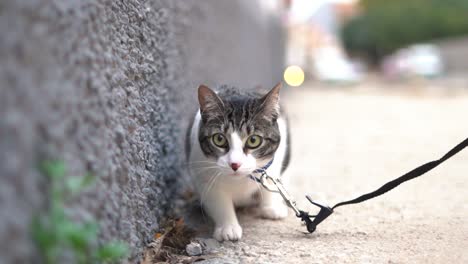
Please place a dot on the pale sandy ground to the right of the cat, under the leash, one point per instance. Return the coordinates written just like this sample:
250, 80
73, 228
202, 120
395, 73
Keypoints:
350, 140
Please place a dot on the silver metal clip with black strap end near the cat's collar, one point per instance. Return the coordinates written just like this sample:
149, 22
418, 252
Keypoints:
311, 221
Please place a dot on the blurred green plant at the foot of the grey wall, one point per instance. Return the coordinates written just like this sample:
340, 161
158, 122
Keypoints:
57, 234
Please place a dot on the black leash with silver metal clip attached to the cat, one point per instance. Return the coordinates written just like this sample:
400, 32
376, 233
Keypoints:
312, 221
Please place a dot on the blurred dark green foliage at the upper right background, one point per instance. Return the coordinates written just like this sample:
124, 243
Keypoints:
384, 26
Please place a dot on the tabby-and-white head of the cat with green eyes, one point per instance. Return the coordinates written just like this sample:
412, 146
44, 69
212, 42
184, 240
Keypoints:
238, 130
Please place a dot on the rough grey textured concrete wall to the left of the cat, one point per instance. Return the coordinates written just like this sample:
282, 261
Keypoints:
105, 85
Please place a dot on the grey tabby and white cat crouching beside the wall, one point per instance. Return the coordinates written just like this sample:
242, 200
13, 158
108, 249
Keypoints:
233, 134
